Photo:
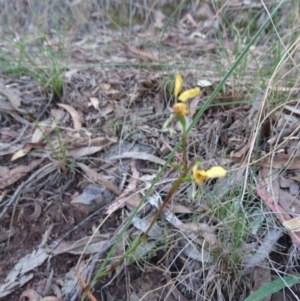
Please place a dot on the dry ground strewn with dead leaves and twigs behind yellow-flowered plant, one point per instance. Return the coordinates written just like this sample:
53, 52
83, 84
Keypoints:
76, 160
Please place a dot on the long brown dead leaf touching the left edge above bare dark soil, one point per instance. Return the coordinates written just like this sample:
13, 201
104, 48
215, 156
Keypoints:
17, 173
